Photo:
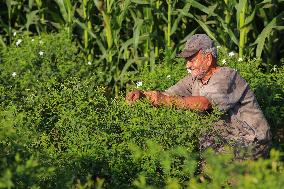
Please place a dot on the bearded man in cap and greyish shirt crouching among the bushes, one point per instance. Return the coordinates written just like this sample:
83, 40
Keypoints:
243, 125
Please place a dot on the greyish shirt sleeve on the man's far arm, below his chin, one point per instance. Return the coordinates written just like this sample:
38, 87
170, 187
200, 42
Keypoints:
181, 88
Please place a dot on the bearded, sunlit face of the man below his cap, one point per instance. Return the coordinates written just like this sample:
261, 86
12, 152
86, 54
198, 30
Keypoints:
197, 65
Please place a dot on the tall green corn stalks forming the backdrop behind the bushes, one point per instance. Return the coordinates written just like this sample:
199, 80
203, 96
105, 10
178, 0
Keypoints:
123, 35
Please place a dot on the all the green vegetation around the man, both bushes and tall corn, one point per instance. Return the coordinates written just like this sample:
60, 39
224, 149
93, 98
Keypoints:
65, 67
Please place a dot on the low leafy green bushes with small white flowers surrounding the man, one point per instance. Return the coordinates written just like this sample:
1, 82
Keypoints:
61, 129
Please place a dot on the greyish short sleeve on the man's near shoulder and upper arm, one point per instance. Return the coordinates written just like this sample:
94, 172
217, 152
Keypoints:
226, 90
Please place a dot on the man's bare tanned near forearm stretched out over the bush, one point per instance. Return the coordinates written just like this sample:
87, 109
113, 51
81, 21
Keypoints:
187, 102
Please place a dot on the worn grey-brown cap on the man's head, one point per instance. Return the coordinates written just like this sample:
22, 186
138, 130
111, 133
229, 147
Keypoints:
196, 43
